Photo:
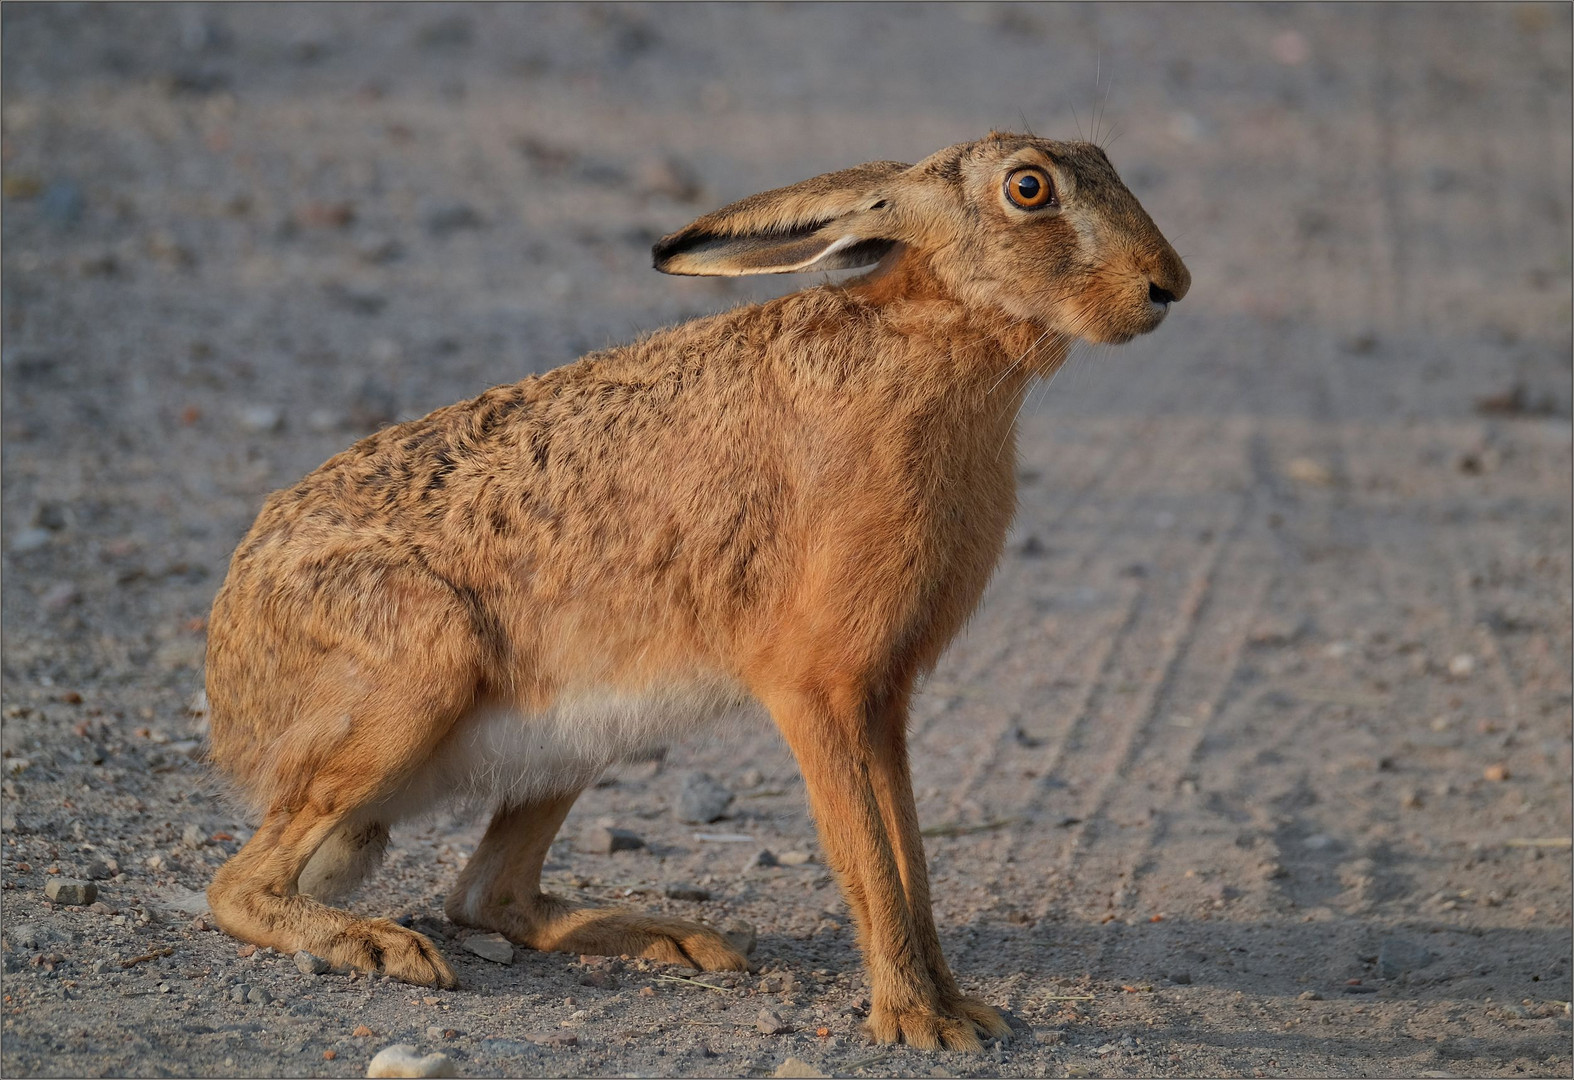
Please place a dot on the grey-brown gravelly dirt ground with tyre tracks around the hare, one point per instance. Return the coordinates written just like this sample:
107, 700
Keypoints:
1257, 758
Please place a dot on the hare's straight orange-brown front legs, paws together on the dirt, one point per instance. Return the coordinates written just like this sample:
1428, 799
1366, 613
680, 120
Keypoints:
844, 752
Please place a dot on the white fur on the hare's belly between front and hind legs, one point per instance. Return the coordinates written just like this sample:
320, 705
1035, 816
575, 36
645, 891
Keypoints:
503, 756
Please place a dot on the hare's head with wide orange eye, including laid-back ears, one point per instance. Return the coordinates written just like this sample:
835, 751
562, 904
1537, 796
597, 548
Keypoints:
1033, 229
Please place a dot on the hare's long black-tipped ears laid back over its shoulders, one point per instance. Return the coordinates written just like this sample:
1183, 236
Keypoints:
829, 223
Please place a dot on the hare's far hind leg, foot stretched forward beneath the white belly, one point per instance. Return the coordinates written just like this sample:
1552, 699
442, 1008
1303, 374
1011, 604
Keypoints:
500, 890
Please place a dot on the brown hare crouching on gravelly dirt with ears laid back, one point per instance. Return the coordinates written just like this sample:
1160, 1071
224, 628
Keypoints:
791, 506
